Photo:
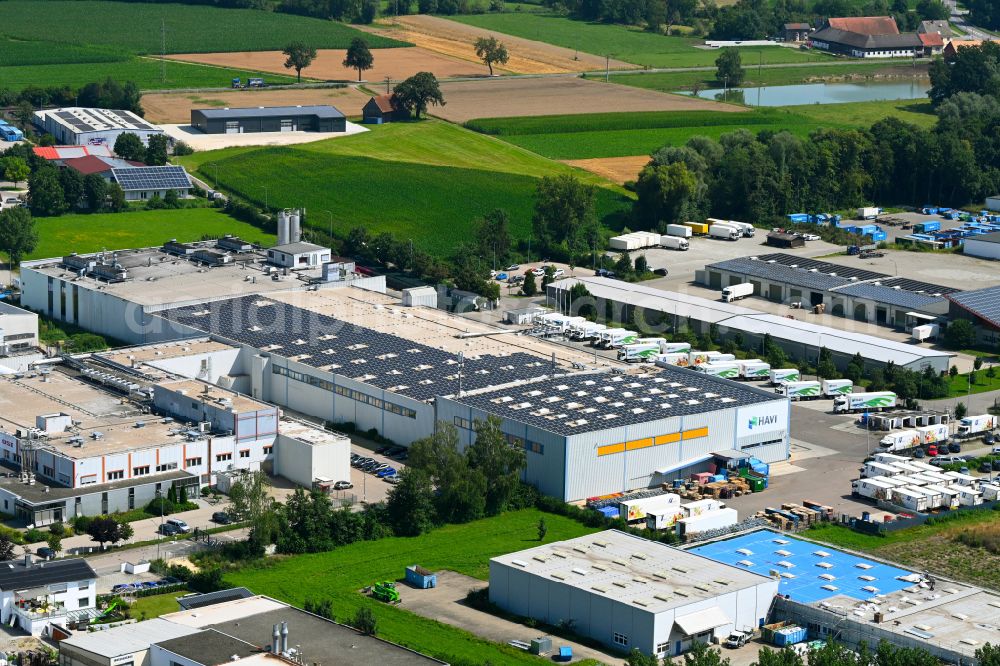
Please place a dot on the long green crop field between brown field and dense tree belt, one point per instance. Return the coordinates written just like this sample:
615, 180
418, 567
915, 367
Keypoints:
572, 137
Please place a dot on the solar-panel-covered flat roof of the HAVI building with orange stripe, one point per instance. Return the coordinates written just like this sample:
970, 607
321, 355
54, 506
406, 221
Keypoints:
588, 402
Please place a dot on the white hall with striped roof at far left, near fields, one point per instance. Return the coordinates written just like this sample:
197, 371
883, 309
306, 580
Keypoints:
79, 126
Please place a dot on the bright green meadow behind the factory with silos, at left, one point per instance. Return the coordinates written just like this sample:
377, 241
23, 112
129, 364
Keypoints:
59, 236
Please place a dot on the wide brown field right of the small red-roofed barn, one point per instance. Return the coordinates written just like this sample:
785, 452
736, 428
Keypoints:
506, 97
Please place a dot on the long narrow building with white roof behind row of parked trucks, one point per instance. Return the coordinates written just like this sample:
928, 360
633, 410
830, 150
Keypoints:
665, 311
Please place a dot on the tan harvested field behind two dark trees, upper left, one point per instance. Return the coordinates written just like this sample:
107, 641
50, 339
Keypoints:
397, 64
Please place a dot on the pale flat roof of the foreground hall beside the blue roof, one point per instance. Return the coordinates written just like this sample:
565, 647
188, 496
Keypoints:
648, 575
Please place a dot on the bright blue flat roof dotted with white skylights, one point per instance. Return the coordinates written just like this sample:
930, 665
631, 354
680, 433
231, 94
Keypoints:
805, 557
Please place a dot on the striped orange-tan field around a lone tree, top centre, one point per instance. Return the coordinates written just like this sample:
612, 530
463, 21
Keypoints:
455, 40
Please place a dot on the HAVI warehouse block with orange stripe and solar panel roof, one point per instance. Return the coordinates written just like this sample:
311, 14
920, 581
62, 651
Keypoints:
589, 434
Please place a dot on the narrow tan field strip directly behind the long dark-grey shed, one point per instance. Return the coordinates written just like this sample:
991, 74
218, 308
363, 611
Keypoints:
175, 108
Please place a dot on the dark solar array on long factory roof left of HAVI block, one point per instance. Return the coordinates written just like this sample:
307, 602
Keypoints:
386, 361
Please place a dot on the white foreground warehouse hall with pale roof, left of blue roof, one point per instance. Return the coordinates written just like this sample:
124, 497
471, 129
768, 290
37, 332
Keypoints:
629, 593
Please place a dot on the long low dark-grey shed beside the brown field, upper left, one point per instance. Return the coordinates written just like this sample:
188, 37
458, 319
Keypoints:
318, 118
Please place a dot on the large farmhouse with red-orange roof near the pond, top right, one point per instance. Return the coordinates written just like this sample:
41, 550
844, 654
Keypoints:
866, 37
